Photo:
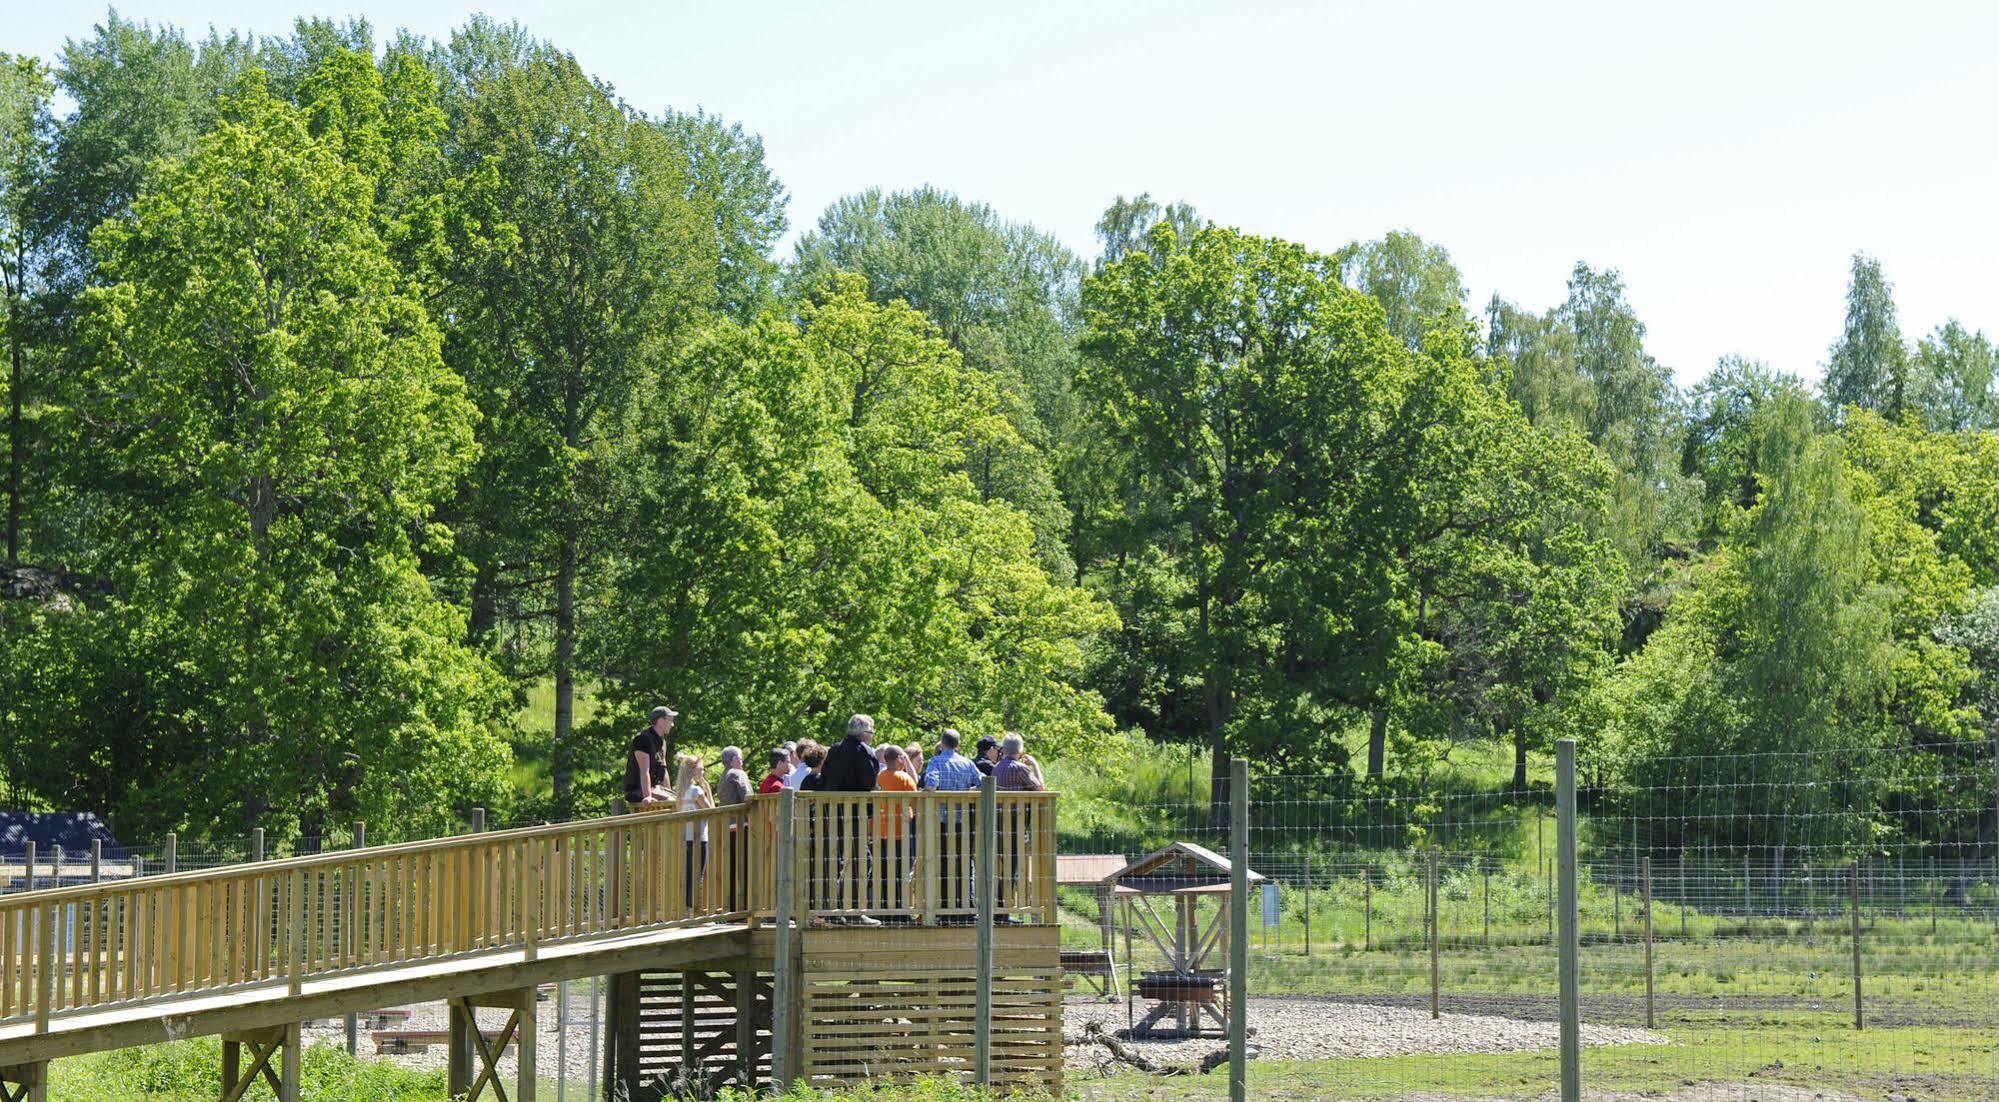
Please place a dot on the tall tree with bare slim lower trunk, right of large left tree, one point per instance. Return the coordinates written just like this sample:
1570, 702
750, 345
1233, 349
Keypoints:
585, 263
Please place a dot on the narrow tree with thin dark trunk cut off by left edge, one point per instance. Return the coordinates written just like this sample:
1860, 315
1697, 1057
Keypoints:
25, 93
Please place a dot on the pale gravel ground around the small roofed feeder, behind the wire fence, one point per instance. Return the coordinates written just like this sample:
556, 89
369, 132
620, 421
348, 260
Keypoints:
1318, 1029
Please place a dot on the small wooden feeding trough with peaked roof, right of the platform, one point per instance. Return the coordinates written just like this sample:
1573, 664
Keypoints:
1188, 991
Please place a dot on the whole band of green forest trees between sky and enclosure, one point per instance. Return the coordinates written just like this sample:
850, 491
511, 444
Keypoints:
361, 389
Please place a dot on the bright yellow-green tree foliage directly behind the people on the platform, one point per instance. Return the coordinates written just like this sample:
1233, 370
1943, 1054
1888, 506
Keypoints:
817, 549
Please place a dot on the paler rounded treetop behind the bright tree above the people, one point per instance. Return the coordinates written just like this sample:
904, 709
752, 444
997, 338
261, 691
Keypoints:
1004, 295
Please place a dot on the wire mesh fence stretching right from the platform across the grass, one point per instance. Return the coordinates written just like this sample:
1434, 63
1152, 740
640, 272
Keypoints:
1736, 939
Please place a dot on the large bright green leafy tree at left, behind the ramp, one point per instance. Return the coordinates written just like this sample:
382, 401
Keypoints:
281, 423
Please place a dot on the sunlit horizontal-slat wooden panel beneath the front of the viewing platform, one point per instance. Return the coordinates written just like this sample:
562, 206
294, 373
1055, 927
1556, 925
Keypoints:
899, 1023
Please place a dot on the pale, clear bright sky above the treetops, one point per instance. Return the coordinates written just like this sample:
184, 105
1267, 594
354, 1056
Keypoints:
1726, 159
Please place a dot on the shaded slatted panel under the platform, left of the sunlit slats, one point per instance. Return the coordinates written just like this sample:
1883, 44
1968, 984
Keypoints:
703, 1031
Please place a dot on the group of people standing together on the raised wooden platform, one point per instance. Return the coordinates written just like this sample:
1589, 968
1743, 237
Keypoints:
853, 765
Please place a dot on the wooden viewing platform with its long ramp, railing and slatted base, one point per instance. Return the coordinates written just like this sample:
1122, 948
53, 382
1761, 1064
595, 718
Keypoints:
767, 981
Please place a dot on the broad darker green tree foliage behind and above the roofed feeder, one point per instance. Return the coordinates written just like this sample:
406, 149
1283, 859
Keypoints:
1296, 487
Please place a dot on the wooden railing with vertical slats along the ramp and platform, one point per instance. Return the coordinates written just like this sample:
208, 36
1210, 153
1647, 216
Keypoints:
899, 857
